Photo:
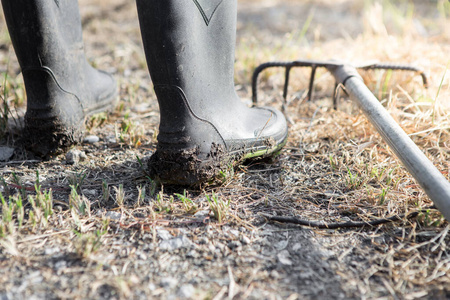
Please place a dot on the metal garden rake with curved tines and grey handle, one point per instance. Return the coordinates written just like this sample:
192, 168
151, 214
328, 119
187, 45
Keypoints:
347, 77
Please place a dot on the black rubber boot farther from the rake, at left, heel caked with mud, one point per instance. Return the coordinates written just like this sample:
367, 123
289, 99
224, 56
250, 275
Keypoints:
62, 88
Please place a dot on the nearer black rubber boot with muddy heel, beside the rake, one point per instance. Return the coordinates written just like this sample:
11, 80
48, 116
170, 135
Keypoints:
204, 127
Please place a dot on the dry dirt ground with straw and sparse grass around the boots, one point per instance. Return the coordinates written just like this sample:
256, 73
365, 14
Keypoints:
97, 228
